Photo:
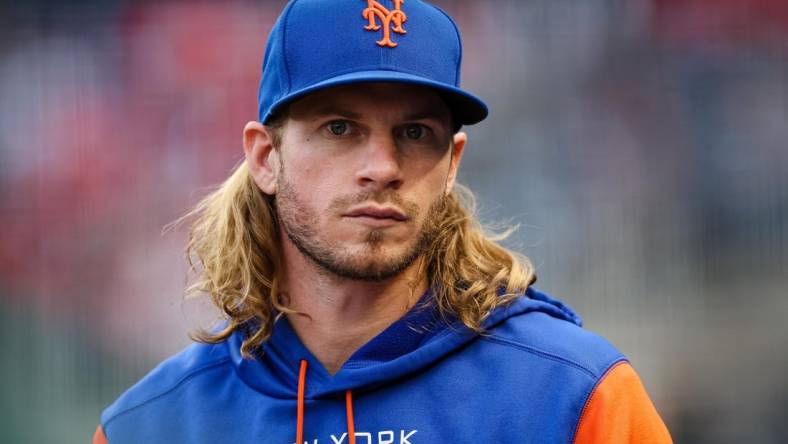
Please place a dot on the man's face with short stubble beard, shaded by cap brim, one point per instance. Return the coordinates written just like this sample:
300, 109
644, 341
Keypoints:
363, 174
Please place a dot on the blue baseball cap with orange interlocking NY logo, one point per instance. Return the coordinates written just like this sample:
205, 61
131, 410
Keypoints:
318, 44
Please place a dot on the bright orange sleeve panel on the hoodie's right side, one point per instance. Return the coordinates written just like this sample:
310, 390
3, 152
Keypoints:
620, 411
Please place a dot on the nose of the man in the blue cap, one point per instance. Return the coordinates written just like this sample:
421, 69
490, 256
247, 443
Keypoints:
380, 164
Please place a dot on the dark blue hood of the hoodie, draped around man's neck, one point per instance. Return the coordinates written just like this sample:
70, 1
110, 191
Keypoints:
405, 347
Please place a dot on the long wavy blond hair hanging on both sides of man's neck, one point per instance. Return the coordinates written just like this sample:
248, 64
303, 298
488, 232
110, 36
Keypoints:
234, 251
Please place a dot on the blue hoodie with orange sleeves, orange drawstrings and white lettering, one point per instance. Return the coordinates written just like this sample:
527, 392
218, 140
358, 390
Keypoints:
534, 376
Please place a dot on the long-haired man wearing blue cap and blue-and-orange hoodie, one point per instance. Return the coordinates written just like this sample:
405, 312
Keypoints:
363, 302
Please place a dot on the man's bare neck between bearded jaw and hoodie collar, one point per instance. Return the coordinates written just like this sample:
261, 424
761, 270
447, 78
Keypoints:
336, 316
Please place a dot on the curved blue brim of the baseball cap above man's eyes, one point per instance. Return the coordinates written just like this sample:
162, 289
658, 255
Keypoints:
466, 108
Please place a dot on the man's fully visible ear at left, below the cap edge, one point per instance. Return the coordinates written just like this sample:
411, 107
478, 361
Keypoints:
261, 157
